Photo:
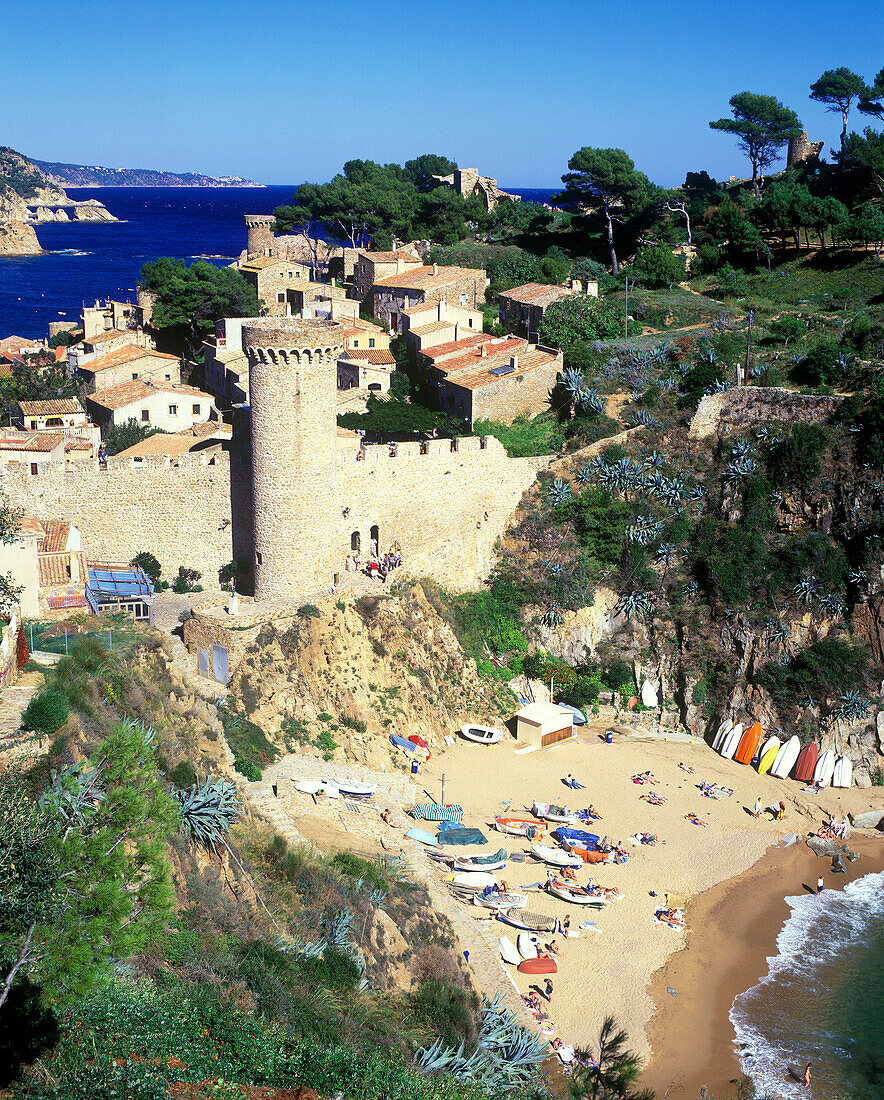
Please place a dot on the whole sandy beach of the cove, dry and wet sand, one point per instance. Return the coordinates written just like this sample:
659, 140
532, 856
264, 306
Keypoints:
734, 872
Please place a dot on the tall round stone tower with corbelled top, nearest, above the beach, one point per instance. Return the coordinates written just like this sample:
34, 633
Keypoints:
293, 398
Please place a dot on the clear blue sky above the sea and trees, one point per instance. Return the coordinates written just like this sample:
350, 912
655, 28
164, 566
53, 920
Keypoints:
284, 92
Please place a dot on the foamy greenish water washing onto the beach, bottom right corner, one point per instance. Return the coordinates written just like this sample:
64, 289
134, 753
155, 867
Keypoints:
822, 1002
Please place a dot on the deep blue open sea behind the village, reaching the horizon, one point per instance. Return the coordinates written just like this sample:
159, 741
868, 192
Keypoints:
85, 261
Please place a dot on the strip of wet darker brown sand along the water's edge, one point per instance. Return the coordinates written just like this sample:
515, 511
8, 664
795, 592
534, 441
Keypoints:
691, 1035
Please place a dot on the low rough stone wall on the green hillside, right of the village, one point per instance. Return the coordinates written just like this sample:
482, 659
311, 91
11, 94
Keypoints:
742, 406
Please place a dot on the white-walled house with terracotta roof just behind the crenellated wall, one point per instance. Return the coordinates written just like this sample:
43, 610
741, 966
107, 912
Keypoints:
157, 404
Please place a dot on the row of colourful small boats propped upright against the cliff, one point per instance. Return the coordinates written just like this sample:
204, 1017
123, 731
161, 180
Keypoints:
735, 742
